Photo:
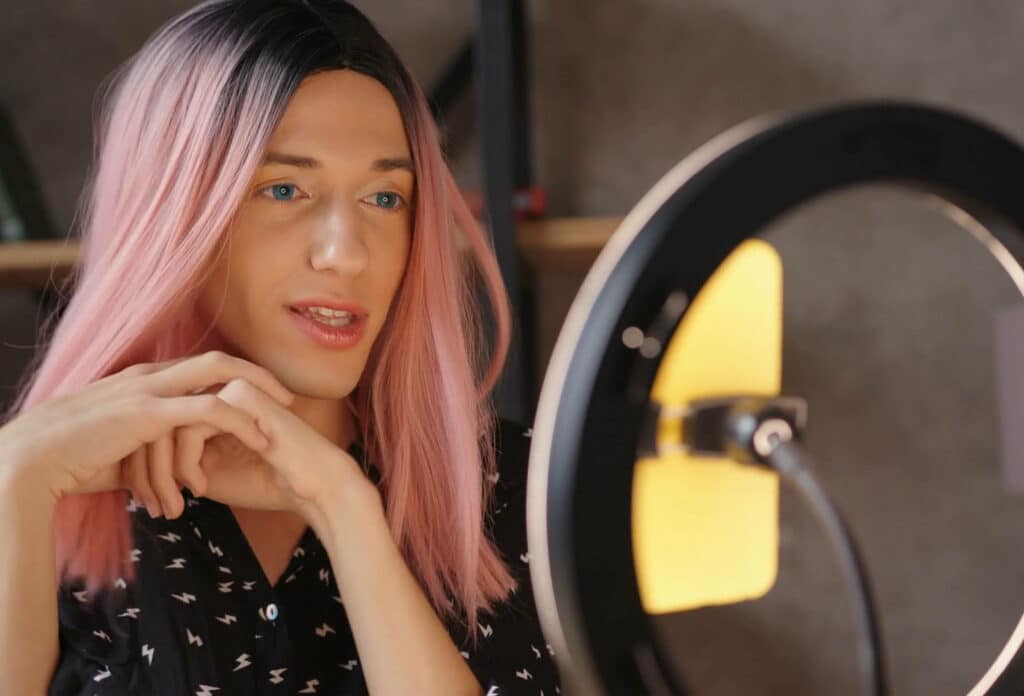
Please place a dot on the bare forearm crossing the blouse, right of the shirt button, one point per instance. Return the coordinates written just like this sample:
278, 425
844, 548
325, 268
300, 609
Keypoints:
404, 646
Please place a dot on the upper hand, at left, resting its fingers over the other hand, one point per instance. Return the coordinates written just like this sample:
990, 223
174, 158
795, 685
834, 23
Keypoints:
75, 444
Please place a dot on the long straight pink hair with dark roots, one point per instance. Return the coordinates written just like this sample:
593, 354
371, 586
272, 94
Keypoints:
179, 141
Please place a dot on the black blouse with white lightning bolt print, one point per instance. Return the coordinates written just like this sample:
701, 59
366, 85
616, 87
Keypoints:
201, 617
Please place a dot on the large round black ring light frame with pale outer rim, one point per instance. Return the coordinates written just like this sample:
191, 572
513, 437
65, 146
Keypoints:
595, 394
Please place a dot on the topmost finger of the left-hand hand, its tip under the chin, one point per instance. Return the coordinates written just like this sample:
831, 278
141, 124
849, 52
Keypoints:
212, 368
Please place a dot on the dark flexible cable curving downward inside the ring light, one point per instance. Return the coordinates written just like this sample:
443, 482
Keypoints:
794, 465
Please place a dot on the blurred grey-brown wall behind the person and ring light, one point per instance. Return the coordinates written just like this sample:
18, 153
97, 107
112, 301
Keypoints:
890, 309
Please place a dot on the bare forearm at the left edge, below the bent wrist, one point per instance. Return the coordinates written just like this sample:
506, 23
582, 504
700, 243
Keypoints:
28, 583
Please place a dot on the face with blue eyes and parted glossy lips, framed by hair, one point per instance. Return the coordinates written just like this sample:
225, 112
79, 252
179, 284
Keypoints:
326, 226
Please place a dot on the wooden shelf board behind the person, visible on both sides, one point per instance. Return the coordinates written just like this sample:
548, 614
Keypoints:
545, 244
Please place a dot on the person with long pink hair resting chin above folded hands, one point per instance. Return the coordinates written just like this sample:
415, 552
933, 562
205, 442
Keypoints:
258, 454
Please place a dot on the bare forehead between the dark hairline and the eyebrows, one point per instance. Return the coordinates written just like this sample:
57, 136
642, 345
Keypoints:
342, 113
